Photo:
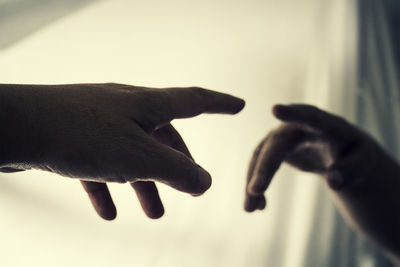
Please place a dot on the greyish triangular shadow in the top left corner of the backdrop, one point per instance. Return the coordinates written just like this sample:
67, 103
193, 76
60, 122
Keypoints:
20, 18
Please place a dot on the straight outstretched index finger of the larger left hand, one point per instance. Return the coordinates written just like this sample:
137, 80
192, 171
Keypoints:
189, 102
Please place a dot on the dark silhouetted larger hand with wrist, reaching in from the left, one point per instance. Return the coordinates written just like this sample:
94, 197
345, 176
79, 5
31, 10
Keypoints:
103, 133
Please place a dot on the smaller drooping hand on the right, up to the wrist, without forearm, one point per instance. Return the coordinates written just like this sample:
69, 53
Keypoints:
314, 141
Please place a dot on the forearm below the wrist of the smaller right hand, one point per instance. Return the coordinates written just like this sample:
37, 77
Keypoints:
373, 206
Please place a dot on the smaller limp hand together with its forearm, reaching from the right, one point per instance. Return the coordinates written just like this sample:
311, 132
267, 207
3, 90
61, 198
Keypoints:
363, 179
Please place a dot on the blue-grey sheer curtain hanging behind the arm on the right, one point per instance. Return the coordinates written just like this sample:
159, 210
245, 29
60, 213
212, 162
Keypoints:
367, 94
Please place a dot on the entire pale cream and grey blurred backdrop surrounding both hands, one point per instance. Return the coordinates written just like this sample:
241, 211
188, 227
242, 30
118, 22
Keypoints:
268, 52
